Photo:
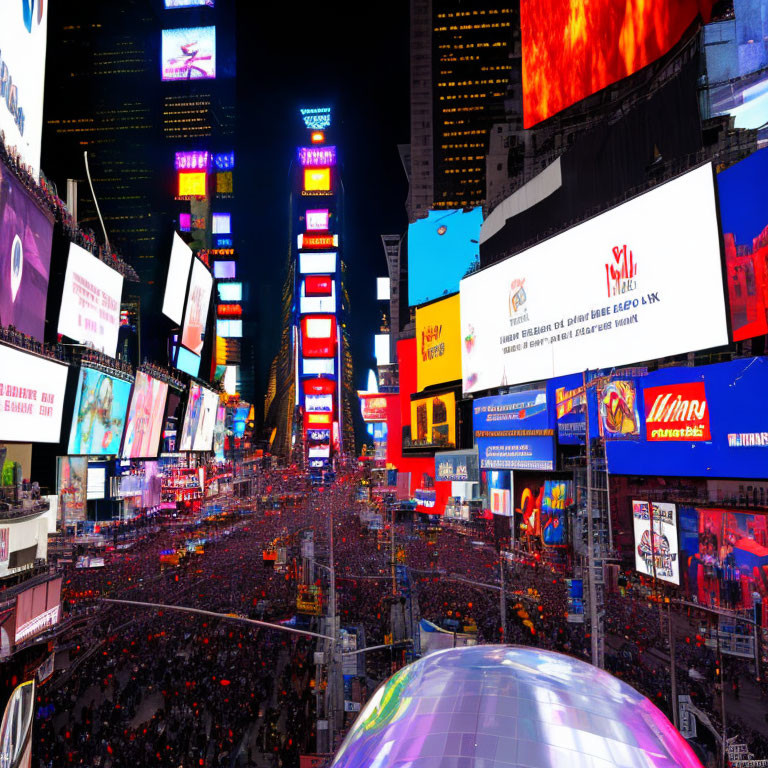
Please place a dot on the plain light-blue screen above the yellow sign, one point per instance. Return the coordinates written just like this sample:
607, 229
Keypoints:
441, 248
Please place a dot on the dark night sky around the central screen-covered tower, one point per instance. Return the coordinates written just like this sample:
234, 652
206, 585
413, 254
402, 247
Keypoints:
309, 54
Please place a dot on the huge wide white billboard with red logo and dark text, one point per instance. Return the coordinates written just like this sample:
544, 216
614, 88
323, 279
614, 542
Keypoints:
638, 282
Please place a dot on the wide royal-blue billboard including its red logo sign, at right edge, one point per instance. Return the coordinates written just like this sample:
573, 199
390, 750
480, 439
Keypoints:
706, 421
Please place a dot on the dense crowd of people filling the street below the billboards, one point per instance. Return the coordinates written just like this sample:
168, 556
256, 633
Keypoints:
158, 687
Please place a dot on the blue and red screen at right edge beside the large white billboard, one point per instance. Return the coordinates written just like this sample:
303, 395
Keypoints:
744, 219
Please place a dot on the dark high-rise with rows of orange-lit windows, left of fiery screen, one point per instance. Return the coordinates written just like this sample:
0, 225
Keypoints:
460, 71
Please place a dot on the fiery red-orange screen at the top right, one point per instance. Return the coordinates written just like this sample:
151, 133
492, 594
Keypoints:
573, 50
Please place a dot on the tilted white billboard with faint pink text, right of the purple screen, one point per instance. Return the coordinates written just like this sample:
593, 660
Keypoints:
90, 302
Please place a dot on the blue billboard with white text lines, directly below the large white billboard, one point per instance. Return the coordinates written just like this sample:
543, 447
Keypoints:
515, 431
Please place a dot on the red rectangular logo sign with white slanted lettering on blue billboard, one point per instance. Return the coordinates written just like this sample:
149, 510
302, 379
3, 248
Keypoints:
677, 412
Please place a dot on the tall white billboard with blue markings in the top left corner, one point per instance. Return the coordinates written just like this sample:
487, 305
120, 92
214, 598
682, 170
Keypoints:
23, 32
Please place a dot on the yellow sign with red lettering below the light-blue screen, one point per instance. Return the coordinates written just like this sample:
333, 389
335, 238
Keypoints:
438, 343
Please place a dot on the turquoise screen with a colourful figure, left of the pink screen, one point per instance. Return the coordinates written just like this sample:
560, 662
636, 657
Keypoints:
101, 403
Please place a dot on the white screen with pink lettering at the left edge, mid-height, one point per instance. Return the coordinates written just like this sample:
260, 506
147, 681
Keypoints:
31, 397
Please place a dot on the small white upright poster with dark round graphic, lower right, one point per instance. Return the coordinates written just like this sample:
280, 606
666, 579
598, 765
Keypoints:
656, 554
